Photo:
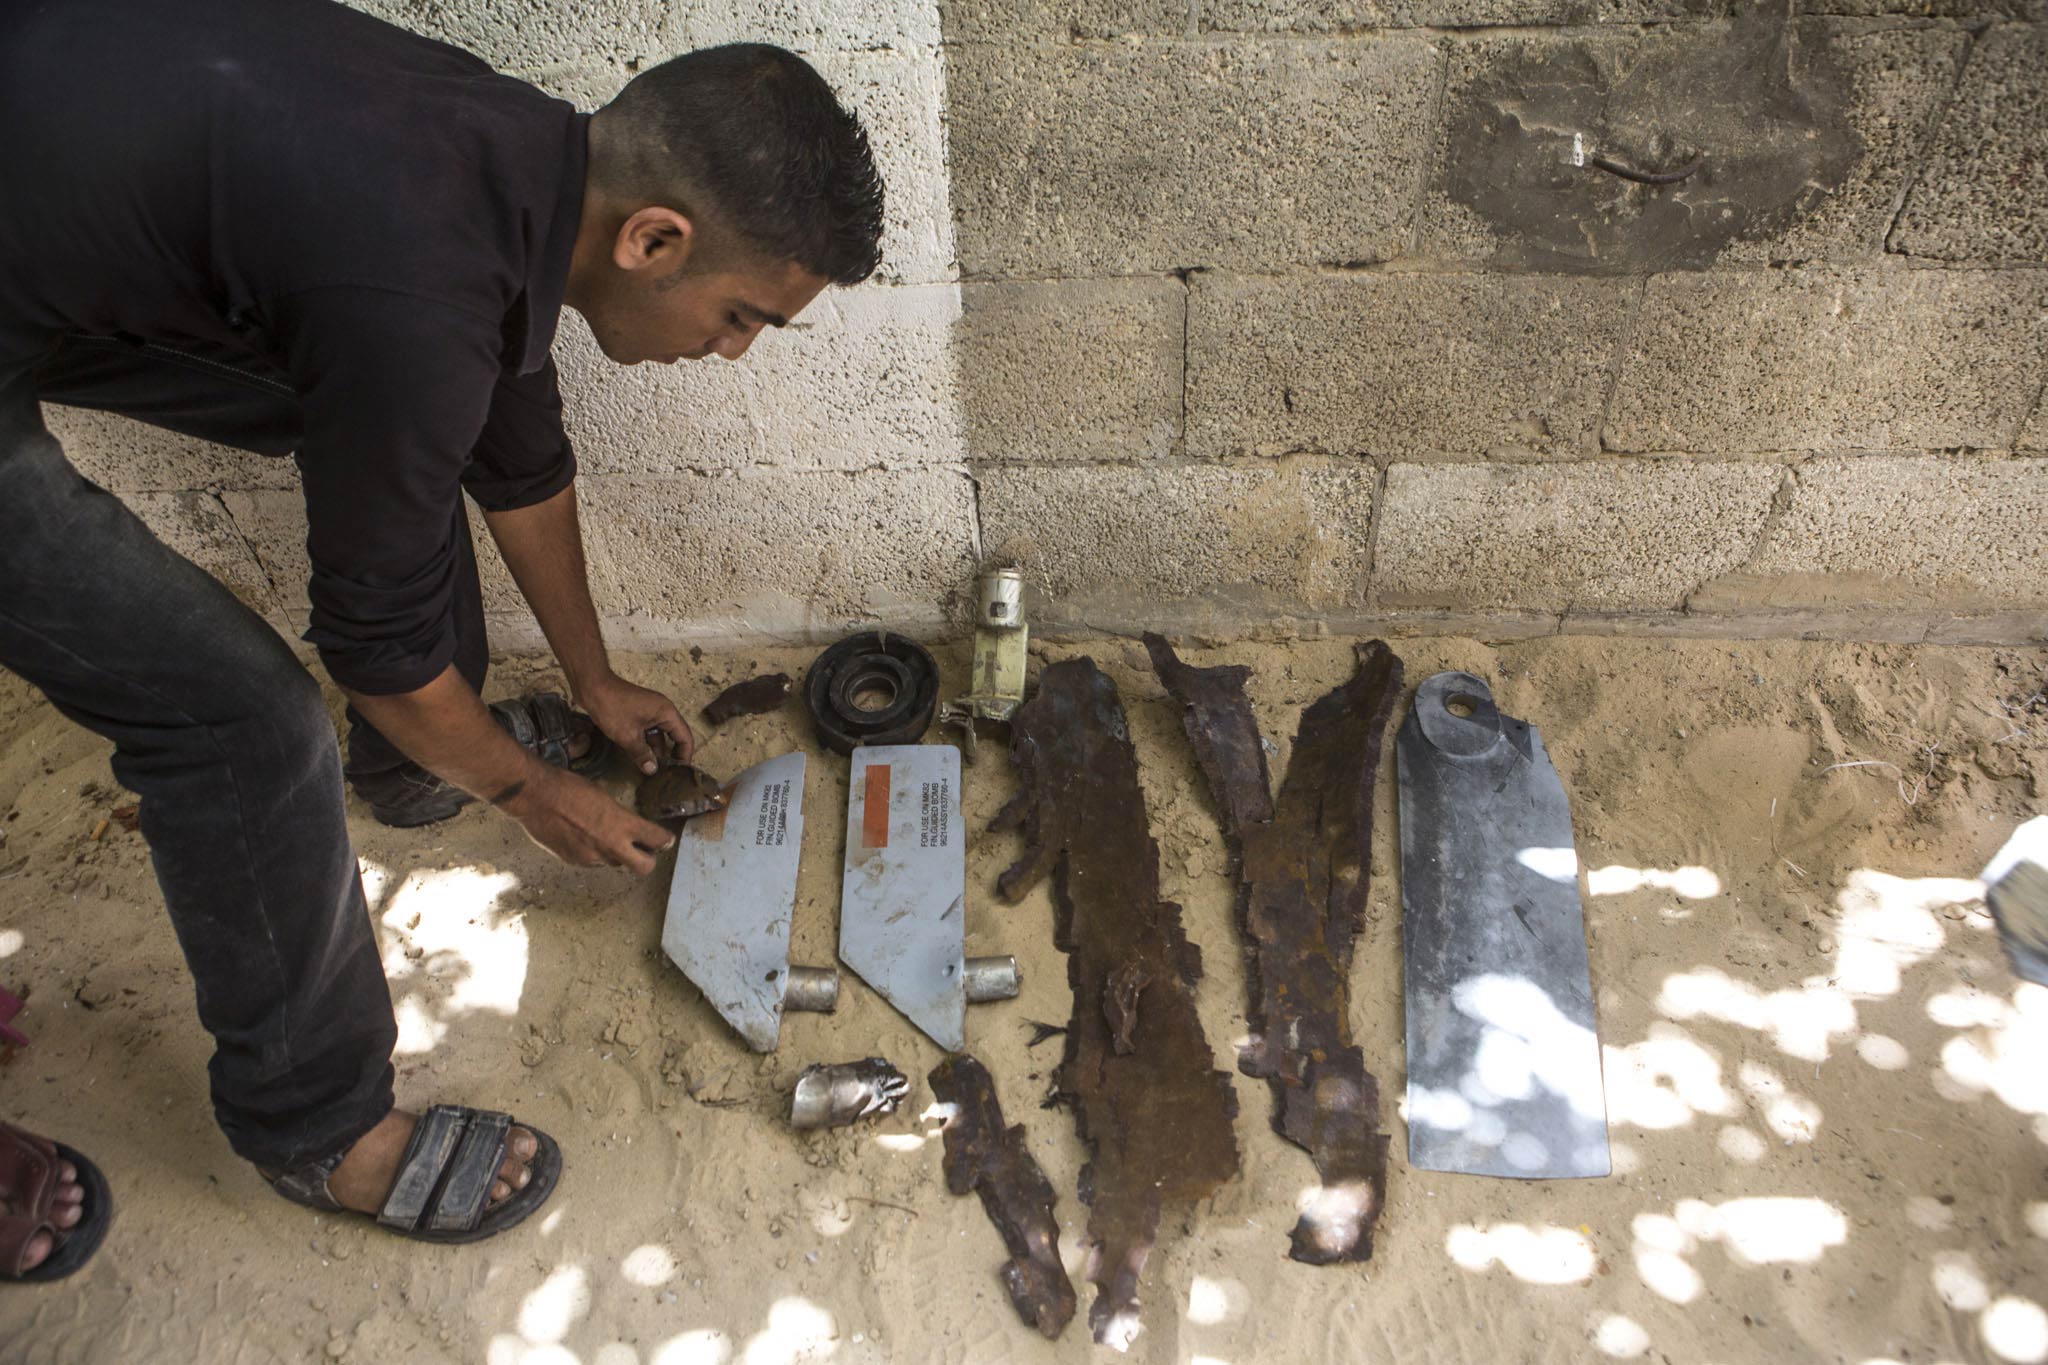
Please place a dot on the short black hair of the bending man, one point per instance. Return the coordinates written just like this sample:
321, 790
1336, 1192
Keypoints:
753, 138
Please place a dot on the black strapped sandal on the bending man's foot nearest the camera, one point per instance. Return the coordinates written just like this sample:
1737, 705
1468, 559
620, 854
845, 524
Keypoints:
443, 1188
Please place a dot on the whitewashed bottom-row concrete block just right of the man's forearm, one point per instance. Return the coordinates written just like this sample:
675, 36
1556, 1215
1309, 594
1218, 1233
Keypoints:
781, 554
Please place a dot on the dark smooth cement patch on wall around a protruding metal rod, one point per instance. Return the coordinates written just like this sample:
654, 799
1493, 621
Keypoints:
1558, 142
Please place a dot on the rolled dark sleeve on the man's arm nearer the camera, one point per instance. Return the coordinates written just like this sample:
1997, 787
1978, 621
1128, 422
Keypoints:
398, 394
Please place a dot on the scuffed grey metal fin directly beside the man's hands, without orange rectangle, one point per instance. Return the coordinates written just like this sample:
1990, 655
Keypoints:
734, 893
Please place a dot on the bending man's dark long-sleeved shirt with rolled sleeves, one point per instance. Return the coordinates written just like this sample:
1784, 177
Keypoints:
382, 220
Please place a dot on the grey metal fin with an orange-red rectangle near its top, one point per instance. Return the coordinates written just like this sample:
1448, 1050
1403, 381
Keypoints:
902, 906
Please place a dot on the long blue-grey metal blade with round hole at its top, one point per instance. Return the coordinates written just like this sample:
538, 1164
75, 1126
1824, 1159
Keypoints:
1502, 1047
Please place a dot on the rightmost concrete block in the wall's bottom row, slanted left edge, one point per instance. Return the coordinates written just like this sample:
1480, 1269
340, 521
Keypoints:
1951, 533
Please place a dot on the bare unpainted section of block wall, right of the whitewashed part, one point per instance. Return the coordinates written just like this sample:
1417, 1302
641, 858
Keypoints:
1488, 388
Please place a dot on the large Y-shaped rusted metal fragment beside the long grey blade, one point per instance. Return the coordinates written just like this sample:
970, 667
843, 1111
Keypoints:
1302, 893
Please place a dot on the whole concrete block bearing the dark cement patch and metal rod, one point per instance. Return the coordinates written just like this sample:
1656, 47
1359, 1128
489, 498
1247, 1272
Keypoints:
1805, 138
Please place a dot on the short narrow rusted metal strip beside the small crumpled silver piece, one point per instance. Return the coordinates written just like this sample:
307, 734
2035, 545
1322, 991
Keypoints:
990, 1159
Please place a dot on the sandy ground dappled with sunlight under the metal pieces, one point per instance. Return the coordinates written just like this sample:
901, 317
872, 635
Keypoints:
1828, 1094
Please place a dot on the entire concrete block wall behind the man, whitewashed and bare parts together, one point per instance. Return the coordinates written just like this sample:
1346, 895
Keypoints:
1295, 316
